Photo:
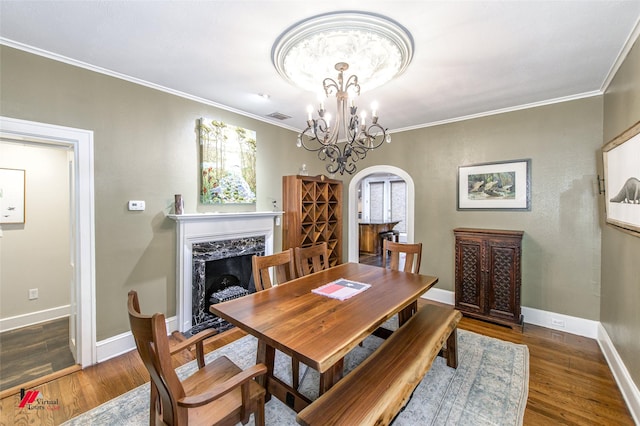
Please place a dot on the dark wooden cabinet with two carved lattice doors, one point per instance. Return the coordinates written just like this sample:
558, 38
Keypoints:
488, 274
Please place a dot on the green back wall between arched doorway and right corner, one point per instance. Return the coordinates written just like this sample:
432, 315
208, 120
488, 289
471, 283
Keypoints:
561, 246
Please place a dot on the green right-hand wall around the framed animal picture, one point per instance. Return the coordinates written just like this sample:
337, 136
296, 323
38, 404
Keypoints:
620, 315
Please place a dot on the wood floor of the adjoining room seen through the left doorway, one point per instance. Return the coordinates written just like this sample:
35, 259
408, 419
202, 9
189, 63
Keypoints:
35, 351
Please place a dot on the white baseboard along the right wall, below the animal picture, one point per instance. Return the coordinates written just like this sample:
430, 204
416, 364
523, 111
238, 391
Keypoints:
627, 387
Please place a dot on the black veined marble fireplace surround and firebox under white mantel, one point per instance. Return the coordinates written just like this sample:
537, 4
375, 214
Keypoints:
218, 265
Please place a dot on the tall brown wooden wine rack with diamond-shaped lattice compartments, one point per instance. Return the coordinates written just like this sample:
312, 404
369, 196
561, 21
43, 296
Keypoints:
312, 213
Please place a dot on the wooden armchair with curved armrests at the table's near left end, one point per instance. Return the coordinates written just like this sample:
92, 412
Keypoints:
218, 393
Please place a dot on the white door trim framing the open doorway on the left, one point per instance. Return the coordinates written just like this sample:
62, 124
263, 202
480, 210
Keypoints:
81, 141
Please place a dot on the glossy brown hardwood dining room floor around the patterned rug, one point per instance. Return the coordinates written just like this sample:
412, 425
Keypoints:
569, 383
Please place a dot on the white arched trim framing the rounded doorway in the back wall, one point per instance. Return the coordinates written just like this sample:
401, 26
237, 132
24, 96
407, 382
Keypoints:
353, 245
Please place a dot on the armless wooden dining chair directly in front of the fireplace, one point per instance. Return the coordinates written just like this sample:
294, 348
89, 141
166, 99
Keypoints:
284, 270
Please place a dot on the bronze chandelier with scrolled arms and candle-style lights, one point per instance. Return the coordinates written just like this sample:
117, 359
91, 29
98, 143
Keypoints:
351, 137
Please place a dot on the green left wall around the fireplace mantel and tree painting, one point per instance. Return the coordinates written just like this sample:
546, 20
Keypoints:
146, 148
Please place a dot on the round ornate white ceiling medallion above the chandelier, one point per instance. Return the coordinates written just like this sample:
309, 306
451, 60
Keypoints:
376, 48
